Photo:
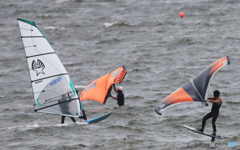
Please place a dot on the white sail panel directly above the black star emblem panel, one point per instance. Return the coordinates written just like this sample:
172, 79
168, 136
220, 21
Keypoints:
36, 46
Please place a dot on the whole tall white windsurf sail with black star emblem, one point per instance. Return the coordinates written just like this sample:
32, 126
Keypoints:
52, 87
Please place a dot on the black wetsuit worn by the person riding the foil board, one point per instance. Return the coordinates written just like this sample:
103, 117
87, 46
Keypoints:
214, 113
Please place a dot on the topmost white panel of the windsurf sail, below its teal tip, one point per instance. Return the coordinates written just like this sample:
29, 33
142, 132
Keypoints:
27, 29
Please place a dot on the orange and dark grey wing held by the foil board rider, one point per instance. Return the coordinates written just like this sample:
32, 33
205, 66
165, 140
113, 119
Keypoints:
195, 90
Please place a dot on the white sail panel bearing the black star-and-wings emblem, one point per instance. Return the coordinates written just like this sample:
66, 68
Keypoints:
45, 66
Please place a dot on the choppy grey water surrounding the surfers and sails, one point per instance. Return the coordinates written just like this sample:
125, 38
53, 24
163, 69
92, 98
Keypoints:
161, 52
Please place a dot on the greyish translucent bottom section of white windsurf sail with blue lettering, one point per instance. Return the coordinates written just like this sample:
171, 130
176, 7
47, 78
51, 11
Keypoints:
65, 98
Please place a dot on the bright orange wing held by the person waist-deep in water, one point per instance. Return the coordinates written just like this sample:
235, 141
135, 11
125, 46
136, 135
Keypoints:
100, 89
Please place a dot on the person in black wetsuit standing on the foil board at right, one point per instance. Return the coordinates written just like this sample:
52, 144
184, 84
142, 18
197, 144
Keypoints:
217, 102
